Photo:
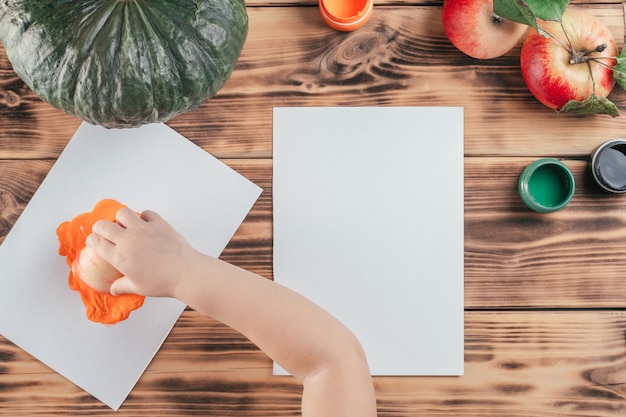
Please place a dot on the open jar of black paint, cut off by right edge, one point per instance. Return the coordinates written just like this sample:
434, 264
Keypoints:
608, 165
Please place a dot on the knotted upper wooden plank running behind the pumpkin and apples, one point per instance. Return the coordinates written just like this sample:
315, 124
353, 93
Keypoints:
401, 58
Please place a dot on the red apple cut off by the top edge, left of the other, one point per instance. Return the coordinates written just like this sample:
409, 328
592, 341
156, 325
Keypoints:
473, 27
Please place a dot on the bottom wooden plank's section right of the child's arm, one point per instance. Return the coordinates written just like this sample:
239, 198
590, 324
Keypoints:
523, 364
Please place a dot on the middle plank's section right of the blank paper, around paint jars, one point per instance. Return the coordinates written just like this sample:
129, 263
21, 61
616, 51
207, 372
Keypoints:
518, 258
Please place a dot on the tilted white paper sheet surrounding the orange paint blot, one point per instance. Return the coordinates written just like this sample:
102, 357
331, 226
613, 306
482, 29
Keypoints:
151, 167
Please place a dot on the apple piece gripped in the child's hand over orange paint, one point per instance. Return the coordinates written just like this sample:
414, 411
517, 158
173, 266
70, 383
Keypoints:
94, 271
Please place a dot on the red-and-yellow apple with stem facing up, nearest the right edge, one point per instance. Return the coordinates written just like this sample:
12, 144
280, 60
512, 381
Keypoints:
567, 65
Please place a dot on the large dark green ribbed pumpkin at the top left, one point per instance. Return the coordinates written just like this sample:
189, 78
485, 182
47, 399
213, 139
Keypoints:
123, 63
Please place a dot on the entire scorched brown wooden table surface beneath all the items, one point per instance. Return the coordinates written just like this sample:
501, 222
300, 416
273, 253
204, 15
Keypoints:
545, 294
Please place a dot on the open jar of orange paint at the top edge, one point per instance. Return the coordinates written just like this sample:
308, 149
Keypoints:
346, 15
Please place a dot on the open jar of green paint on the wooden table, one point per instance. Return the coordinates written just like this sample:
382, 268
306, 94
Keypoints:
546, 185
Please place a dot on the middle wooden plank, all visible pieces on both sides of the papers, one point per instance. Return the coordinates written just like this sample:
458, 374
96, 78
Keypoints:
514, 258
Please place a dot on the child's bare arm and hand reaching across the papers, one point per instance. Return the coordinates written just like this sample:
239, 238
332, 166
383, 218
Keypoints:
300, 336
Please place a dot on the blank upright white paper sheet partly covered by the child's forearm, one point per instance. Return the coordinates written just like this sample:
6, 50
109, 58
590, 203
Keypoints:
368, 223
